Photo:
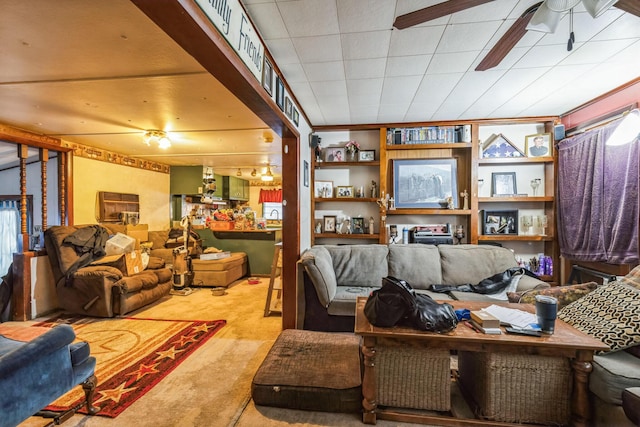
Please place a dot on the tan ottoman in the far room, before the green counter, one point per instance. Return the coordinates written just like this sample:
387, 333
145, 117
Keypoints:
219, 272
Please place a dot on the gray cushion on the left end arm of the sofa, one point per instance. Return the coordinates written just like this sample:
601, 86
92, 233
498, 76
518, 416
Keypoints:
319, 266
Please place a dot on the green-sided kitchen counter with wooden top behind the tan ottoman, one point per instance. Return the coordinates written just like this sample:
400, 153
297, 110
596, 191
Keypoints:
257, 244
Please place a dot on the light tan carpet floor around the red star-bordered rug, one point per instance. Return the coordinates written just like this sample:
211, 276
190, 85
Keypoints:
213, 386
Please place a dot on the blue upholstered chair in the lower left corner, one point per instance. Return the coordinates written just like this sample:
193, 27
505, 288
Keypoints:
34, 372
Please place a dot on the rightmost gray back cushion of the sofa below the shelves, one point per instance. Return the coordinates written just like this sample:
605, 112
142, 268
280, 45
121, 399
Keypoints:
469, 264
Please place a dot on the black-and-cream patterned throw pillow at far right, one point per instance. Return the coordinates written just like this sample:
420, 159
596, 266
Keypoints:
610, 313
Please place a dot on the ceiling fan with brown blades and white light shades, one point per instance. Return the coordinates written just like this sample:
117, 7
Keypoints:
543, 16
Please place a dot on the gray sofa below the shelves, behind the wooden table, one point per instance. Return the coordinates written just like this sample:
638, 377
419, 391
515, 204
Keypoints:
331, 277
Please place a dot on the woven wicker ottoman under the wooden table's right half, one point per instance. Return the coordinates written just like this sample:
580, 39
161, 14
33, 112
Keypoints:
518, 388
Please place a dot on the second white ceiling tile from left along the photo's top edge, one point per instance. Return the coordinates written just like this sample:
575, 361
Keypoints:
305, 18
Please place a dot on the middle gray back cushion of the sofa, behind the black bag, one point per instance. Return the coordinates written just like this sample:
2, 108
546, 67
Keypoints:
418, 265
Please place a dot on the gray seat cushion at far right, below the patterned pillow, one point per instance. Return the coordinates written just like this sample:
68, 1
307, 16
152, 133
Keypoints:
613, 373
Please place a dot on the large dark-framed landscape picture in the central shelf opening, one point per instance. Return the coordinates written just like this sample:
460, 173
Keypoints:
425, 183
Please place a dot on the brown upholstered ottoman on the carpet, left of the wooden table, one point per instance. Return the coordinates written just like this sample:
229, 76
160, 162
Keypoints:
314, 371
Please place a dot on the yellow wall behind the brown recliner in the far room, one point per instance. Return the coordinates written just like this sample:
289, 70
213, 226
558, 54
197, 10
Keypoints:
92, 176
